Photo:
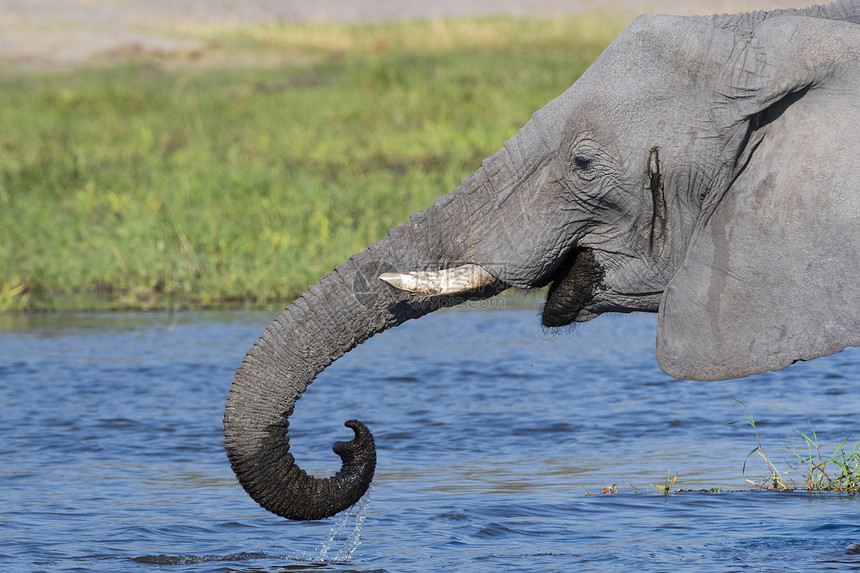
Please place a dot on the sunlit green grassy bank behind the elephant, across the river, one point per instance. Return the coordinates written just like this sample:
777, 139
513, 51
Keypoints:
241, 173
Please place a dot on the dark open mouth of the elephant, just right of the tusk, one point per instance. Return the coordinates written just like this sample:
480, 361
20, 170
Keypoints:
573, 288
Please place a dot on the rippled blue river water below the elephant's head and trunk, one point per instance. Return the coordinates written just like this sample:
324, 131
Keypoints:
490, 432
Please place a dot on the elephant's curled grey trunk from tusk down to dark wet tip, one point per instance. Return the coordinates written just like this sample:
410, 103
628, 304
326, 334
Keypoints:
343, 310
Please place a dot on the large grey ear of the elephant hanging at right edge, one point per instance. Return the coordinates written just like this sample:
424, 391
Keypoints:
772, 272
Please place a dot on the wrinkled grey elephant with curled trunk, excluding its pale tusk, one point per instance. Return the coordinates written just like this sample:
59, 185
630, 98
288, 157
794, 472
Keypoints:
704, 168
